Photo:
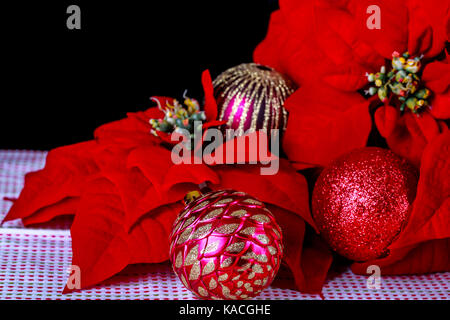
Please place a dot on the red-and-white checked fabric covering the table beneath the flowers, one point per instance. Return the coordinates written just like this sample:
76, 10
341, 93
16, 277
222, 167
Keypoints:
34, 263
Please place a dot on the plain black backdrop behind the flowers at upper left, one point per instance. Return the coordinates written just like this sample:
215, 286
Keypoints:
60, 84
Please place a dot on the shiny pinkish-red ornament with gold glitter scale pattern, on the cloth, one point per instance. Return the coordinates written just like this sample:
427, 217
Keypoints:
226, 245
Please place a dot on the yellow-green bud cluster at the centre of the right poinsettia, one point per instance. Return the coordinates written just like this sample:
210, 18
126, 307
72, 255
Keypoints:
402, 81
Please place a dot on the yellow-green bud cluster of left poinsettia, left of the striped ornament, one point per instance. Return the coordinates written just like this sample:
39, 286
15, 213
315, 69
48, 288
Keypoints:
178, 117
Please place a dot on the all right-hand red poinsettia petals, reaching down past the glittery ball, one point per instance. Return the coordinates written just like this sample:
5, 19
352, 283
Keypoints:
326, 47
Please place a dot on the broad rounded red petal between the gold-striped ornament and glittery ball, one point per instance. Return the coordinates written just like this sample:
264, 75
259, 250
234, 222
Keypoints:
323, 124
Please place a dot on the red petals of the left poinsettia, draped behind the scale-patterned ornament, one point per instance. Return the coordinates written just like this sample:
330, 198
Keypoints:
125, 192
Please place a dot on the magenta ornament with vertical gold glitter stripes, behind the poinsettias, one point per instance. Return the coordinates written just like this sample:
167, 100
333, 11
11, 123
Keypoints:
251, 96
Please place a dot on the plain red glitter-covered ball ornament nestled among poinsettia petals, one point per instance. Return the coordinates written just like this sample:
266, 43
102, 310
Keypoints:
362, 200
